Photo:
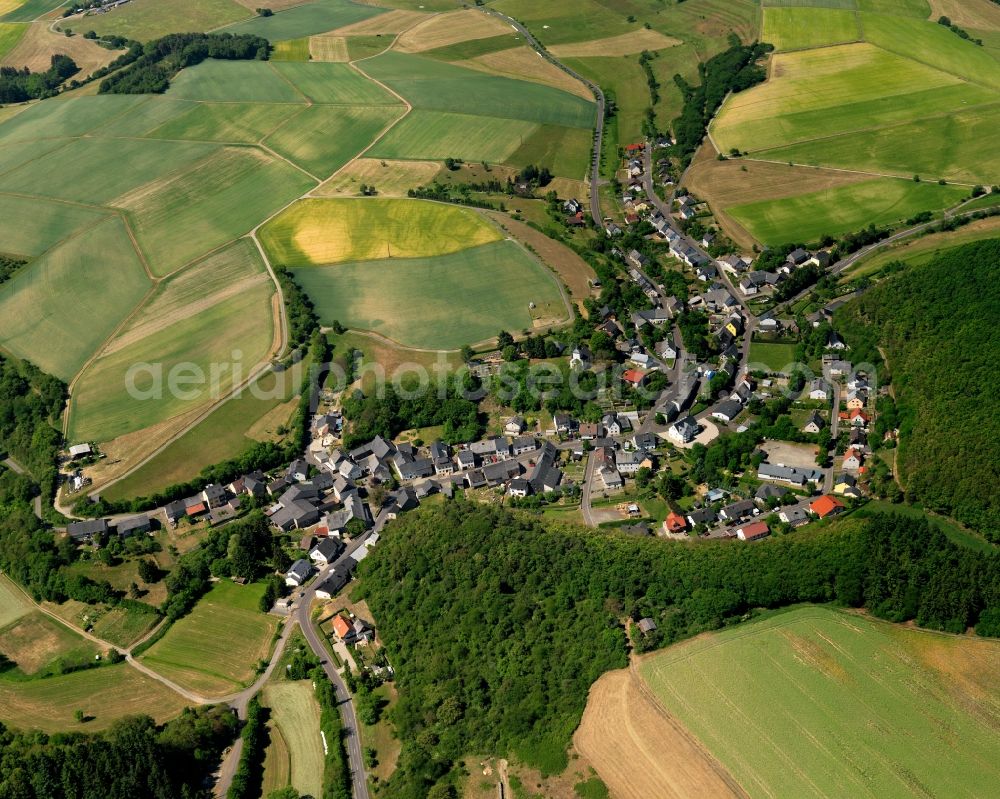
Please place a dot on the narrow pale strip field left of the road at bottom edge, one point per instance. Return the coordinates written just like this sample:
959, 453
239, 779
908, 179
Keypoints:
296, 712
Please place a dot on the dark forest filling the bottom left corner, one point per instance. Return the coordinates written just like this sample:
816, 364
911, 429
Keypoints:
134, 758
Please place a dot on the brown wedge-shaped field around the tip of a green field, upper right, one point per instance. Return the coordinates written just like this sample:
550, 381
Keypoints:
726, 183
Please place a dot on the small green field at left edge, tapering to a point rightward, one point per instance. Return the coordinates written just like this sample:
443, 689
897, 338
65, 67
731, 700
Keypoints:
29, 227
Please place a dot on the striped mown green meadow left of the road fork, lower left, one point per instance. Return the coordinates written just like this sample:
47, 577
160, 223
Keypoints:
215, 648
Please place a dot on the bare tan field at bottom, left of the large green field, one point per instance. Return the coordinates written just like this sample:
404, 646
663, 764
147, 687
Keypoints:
639, 750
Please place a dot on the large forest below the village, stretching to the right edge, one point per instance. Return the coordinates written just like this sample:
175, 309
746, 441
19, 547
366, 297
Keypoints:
498, 624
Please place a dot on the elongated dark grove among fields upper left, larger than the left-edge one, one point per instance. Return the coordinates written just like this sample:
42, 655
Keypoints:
147, 68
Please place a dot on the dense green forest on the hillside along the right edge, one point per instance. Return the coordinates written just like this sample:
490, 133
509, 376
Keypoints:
936, 325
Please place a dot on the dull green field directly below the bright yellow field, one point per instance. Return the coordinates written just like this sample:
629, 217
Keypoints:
442, 302
